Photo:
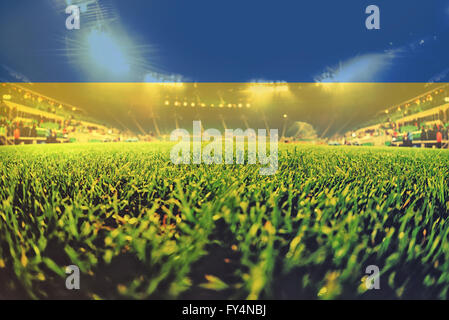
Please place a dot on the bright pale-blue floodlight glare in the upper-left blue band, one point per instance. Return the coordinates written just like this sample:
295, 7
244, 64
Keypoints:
106, 52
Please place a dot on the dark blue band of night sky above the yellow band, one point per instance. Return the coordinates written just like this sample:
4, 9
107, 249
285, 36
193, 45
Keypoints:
232, 40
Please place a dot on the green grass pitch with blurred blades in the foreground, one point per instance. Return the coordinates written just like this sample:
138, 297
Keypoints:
140, 227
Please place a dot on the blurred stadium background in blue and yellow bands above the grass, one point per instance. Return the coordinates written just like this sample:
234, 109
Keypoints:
137, 71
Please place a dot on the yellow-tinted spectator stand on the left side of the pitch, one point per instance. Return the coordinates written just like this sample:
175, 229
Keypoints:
26, 117
